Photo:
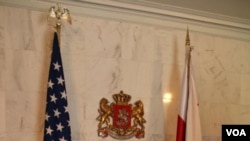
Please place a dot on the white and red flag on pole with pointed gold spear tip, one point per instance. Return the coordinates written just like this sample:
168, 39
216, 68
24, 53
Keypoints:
188, 125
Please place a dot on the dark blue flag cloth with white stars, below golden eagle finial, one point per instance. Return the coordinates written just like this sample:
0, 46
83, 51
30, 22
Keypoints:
57, 126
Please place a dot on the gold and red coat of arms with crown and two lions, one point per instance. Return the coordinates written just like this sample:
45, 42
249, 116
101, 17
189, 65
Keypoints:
115, 119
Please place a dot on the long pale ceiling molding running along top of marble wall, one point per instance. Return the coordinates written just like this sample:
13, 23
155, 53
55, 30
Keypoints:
144, 13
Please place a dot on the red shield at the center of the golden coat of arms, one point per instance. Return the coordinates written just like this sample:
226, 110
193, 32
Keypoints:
122, 116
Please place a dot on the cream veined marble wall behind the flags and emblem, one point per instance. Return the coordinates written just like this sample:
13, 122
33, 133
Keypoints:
102, 57
